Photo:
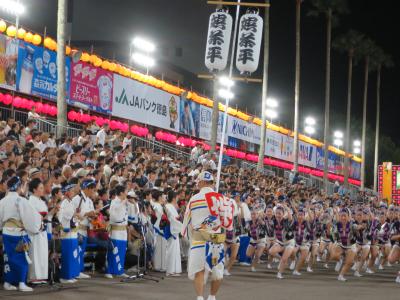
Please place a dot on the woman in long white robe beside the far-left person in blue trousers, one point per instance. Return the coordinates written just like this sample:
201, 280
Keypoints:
39, 250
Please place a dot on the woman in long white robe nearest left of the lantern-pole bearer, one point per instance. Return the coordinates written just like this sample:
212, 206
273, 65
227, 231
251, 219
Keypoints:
173, 253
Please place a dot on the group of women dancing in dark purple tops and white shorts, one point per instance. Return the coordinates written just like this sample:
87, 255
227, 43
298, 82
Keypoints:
356, 237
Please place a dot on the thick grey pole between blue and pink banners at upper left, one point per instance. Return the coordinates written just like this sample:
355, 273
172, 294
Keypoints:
61, 100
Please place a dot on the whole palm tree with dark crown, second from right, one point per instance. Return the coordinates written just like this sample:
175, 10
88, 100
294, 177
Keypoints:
367, 49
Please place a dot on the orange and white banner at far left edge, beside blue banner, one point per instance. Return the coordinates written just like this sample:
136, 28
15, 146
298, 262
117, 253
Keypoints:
8, 61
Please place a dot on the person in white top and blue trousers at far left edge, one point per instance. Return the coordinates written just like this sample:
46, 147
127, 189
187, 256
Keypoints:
17, 217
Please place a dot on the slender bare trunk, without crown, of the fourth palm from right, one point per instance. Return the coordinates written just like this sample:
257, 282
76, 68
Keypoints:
327, 94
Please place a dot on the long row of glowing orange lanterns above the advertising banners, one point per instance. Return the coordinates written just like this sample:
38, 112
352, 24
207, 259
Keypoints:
95, 60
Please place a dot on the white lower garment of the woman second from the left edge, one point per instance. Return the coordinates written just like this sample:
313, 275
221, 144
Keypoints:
39, 255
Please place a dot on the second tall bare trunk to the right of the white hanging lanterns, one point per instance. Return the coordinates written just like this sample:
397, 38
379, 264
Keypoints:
297, 90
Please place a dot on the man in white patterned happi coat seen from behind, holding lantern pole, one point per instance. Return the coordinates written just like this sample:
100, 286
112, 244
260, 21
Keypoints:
206, 218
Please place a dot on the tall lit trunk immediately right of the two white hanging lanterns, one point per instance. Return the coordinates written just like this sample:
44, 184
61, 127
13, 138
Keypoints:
260, 163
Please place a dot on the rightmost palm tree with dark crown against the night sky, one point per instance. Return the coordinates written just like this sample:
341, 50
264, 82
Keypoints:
379, 60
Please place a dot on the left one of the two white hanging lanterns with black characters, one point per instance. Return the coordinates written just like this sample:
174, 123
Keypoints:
218, 40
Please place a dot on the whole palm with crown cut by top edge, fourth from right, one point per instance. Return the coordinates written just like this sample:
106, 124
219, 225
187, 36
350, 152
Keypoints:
331, 9
